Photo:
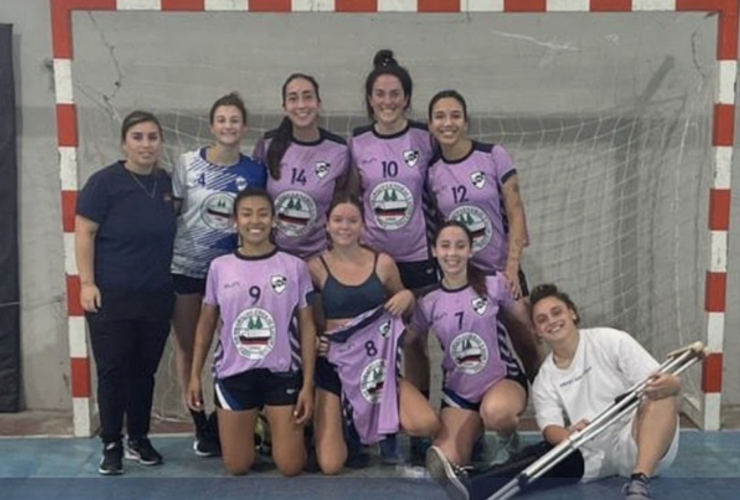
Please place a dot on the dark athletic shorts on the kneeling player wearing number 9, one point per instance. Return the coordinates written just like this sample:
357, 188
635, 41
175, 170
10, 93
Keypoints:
257, 388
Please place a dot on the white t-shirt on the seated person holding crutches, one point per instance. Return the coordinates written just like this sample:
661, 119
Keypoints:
607, 363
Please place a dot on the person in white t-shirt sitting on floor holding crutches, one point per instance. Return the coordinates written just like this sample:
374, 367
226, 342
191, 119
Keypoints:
584, 373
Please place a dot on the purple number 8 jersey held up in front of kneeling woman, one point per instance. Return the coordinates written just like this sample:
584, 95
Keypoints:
366, 354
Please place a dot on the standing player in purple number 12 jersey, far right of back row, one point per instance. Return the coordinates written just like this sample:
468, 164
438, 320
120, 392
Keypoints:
477, 184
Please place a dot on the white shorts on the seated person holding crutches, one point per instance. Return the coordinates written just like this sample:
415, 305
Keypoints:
615, 453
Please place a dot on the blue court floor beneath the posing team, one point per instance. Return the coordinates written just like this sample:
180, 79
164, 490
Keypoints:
707, 467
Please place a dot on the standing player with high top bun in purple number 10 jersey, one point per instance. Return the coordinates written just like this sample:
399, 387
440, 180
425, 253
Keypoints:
389, 160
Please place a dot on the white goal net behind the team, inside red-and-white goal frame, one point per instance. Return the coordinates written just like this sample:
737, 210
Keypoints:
607, 116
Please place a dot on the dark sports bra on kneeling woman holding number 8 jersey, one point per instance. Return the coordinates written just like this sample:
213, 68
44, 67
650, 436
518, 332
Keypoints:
342, 301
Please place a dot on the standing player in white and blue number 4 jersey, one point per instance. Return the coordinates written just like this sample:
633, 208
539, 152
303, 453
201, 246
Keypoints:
205, 182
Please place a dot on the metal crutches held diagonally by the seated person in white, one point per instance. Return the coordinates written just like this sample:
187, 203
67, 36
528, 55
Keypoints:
675, 363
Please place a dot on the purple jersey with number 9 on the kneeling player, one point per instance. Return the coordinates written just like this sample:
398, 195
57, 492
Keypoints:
258, 300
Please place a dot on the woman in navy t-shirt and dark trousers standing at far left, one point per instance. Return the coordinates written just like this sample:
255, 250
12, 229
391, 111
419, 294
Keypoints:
125, 229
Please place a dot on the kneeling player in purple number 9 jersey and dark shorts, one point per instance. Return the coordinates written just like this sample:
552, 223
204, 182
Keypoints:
258, 298
